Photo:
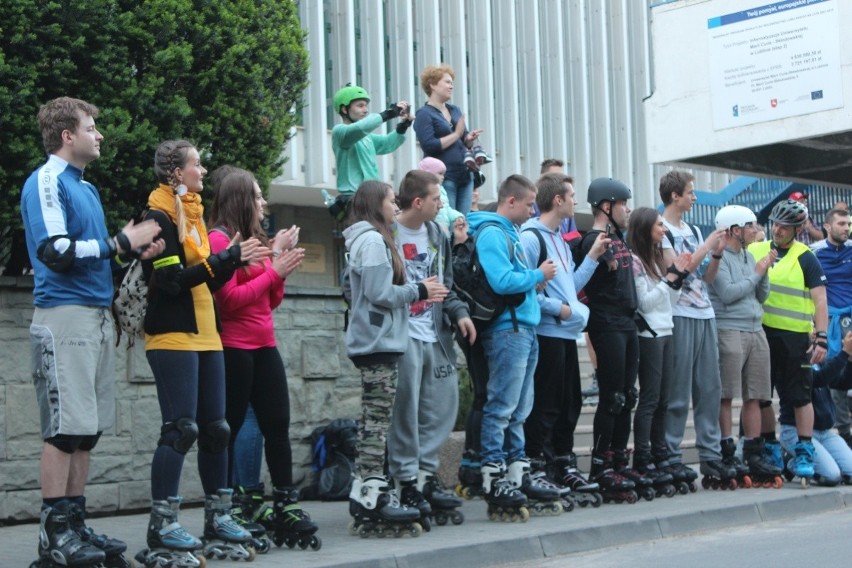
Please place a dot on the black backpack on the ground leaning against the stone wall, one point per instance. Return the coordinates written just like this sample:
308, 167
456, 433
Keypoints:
334, 450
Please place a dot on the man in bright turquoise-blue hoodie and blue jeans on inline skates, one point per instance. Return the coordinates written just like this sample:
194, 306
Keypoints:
509, 342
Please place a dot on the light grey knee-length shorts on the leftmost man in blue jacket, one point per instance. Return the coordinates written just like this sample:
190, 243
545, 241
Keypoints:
73, 362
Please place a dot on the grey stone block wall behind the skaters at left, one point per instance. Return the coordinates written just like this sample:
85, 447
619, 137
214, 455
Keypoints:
323, 385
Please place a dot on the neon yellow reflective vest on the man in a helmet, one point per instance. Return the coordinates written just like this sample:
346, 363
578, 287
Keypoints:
789, 305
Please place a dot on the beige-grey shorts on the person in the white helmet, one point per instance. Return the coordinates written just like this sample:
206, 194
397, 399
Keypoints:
744, 365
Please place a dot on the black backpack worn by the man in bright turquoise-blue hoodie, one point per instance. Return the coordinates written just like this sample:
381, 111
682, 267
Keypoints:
471, 285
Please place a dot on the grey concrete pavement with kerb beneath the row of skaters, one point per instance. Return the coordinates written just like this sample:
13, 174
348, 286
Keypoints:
482, 543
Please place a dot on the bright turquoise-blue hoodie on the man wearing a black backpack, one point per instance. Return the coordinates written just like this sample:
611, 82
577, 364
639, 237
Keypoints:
506, 274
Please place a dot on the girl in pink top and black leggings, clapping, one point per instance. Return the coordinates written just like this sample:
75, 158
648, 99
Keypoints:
254, 370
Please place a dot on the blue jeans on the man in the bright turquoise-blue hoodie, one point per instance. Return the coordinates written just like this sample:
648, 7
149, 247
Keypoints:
512, 358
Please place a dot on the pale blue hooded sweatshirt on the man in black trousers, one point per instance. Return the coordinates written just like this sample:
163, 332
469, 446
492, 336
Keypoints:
562, 289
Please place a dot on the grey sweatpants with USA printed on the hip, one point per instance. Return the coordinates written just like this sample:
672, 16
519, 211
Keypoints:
424, 410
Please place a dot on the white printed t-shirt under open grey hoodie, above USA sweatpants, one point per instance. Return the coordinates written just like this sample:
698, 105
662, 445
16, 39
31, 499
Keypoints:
417, 256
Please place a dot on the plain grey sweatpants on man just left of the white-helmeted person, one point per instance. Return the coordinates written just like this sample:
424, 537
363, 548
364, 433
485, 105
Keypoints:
696, 373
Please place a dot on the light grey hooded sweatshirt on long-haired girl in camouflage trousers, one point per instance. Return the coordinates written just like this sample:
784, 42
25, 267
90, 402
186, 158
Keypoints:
378, 320
